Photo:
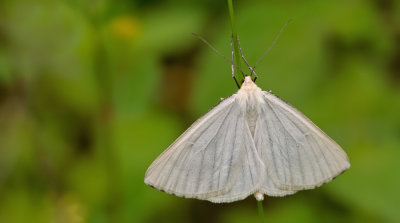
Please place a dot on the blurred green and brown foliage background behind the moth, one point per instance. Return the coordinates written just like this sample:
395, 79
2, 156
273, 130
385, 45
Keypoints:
92, 91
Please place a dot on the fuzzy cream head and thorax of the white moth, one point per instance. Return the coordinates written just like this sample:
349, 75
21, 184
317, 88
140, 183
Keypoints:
250, 98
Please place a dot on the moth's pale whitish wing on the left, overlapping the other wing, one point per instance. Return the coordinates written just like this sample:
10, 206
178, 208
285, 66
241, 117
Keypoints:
214, 157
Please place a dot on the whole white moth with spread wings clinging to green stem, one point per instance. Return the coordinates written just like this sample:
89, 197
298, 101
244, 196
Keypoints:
250, 143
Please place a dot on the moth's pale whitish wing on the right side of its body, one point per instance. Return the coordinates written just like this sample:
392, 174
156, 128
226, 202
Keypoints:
296, 153
